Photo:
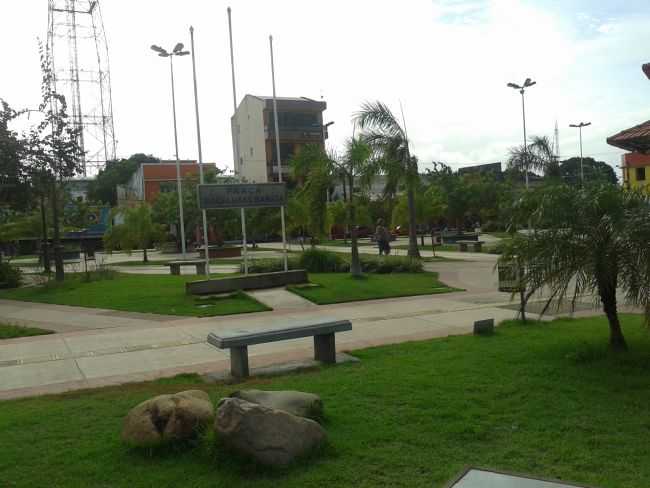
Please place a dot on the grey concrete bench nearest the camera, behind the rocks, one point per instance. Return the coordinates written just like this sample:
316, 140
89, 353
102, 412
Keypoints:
238, 341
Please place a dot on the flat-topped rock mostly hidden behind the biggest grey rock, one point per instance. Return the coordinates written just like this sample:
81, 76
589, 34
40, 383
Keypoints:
297, 403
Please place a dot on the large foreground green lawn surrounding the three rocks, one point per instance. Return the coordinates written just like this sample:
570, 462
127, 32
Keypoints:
545, 399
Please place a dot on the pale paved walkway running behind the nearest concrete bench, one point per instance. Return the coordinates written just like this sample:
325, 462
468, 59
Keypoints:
117, 349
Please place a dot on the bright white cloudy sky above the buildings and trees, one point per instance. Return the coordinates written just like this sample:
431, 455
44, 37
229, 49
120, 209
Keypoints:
446, 62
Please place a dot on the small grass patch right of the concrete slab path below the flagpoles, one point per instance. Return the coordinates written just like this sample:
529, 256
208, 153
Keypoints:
341, 287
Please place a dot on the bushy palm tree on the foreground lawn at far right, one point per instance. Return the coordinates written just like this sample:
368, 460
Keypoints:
590, 241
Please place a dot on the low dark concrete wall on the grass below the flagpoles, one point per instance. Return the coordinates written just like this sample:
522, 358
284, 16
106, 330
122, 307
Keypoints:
251, 282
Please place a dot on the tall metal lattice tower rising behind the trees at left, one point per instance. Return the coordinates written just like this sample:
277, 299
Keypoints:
76, 44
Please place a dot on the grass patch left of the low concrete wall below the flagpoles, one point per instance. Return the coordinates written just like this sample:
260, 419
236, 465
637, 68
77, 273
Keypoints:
163, 294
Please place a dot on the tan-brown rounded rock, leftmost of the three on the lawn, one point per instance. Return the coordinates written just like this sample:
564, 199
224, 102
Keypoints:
168, 418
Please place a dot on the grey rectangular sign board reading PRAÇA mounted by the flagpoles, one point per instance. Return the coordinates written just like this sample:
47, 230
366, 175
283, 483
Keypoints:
242, 195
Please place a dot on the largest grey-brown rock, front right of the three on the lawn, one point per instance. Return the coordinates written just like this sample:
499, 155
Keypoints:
271, 437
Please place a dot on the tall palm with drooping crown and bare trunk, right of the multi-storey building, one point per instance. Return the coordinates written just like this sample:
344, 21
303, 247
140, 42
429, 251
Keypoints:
388, 138
